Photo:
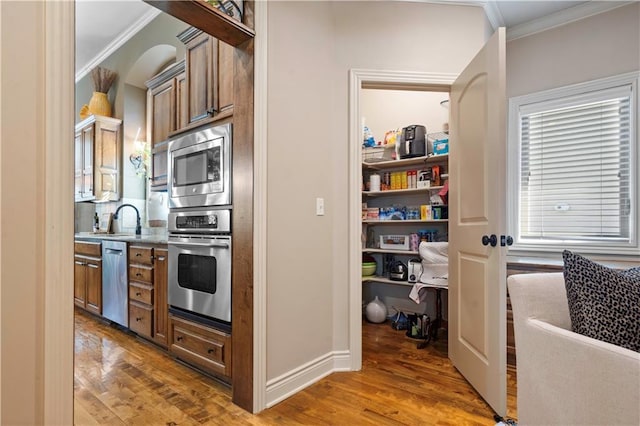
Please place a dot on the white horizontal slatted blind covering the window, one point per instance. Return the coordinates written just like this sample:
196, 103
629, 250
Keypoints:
575, 169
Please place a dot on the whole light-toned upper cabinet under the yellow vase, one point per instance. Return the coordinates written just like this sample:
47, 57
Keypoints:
98, 159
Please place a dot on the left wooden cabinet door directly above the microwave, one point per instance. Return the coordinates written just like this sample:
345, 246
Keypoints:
201, 67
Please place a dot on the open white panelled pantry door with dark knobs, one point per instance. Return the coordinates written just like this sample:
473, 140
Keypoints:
477, 208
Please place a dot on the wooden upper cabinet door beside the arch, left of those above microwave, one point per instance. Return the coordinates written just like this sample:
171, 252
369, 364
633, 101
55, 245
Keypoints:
163, 118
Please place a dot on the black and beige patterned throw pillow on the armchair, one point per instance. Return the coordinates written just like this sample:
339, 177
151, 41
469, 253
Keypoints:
603, 303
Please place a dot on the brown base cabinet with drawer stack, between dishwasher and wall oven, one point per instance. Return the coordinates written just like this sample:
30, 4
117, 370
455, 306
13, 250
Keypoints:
148, 292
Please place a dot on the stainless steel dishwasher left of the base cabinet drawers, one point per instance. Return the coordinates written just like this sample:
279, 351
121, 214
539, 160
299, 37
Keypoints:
115, 303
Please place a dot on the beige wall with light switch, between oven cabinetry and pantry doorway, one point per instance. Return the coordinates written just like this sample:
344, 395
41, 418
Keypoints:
311, 48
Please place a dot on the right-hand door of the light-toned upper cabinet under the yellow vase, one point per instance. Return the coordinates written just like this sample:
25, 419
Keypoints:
107, 158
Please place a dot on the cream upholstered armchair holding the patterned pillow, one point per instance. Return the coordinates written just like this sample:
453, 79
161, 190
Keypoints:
565, 378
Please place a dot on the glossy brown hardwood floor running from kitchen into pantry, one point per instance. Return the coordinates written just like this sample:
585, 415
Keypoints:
123, 380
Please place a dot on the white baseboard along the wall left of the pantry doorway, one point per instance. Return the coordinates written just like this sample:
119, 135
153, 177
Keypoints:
292, 382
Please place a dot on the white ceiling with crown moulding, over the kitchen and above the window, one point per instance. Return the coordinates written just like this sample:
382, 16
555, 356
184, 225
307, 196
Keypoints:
104, 26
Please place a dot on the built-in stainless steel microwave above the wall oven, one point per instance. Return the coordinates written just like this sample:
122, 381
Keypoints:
199, 169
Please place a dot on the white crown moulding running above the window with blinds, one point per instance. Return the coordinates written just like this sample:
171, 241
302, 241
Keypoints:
562, 17
